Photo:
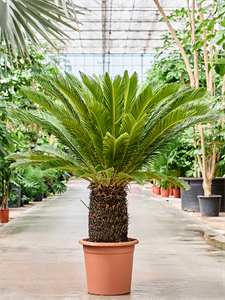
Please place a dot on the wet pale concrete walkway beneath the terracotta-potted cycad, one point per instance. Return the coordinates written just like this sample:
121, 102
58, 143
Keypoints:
41, 257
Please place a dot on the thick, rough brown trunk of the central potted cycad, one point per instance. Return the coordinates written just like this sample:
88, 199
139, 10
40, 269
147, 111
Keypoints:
108, 214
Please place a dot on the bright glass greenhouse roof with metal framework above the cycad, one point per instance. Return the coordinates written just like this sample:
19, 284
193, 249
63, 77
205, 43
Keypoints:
120, 27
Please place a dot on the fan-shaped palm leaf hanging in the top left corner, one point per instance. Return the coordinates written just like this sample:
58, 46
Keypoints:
29, 20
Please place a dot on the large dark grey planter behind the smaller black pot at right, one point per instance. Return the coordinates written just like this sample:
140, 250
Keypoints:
189, 199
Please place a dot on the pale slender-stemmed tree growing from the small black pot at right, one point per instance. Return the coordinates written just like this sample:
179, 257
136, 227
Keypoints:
204, 36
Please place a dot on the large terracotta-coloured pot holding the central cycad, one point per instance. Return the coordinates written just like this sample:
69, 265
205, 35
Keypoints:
108, 266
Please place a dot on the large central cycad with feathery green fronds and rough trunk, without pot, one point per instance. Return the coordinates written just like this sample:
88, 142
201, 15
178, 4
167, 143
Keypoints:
109, 133
